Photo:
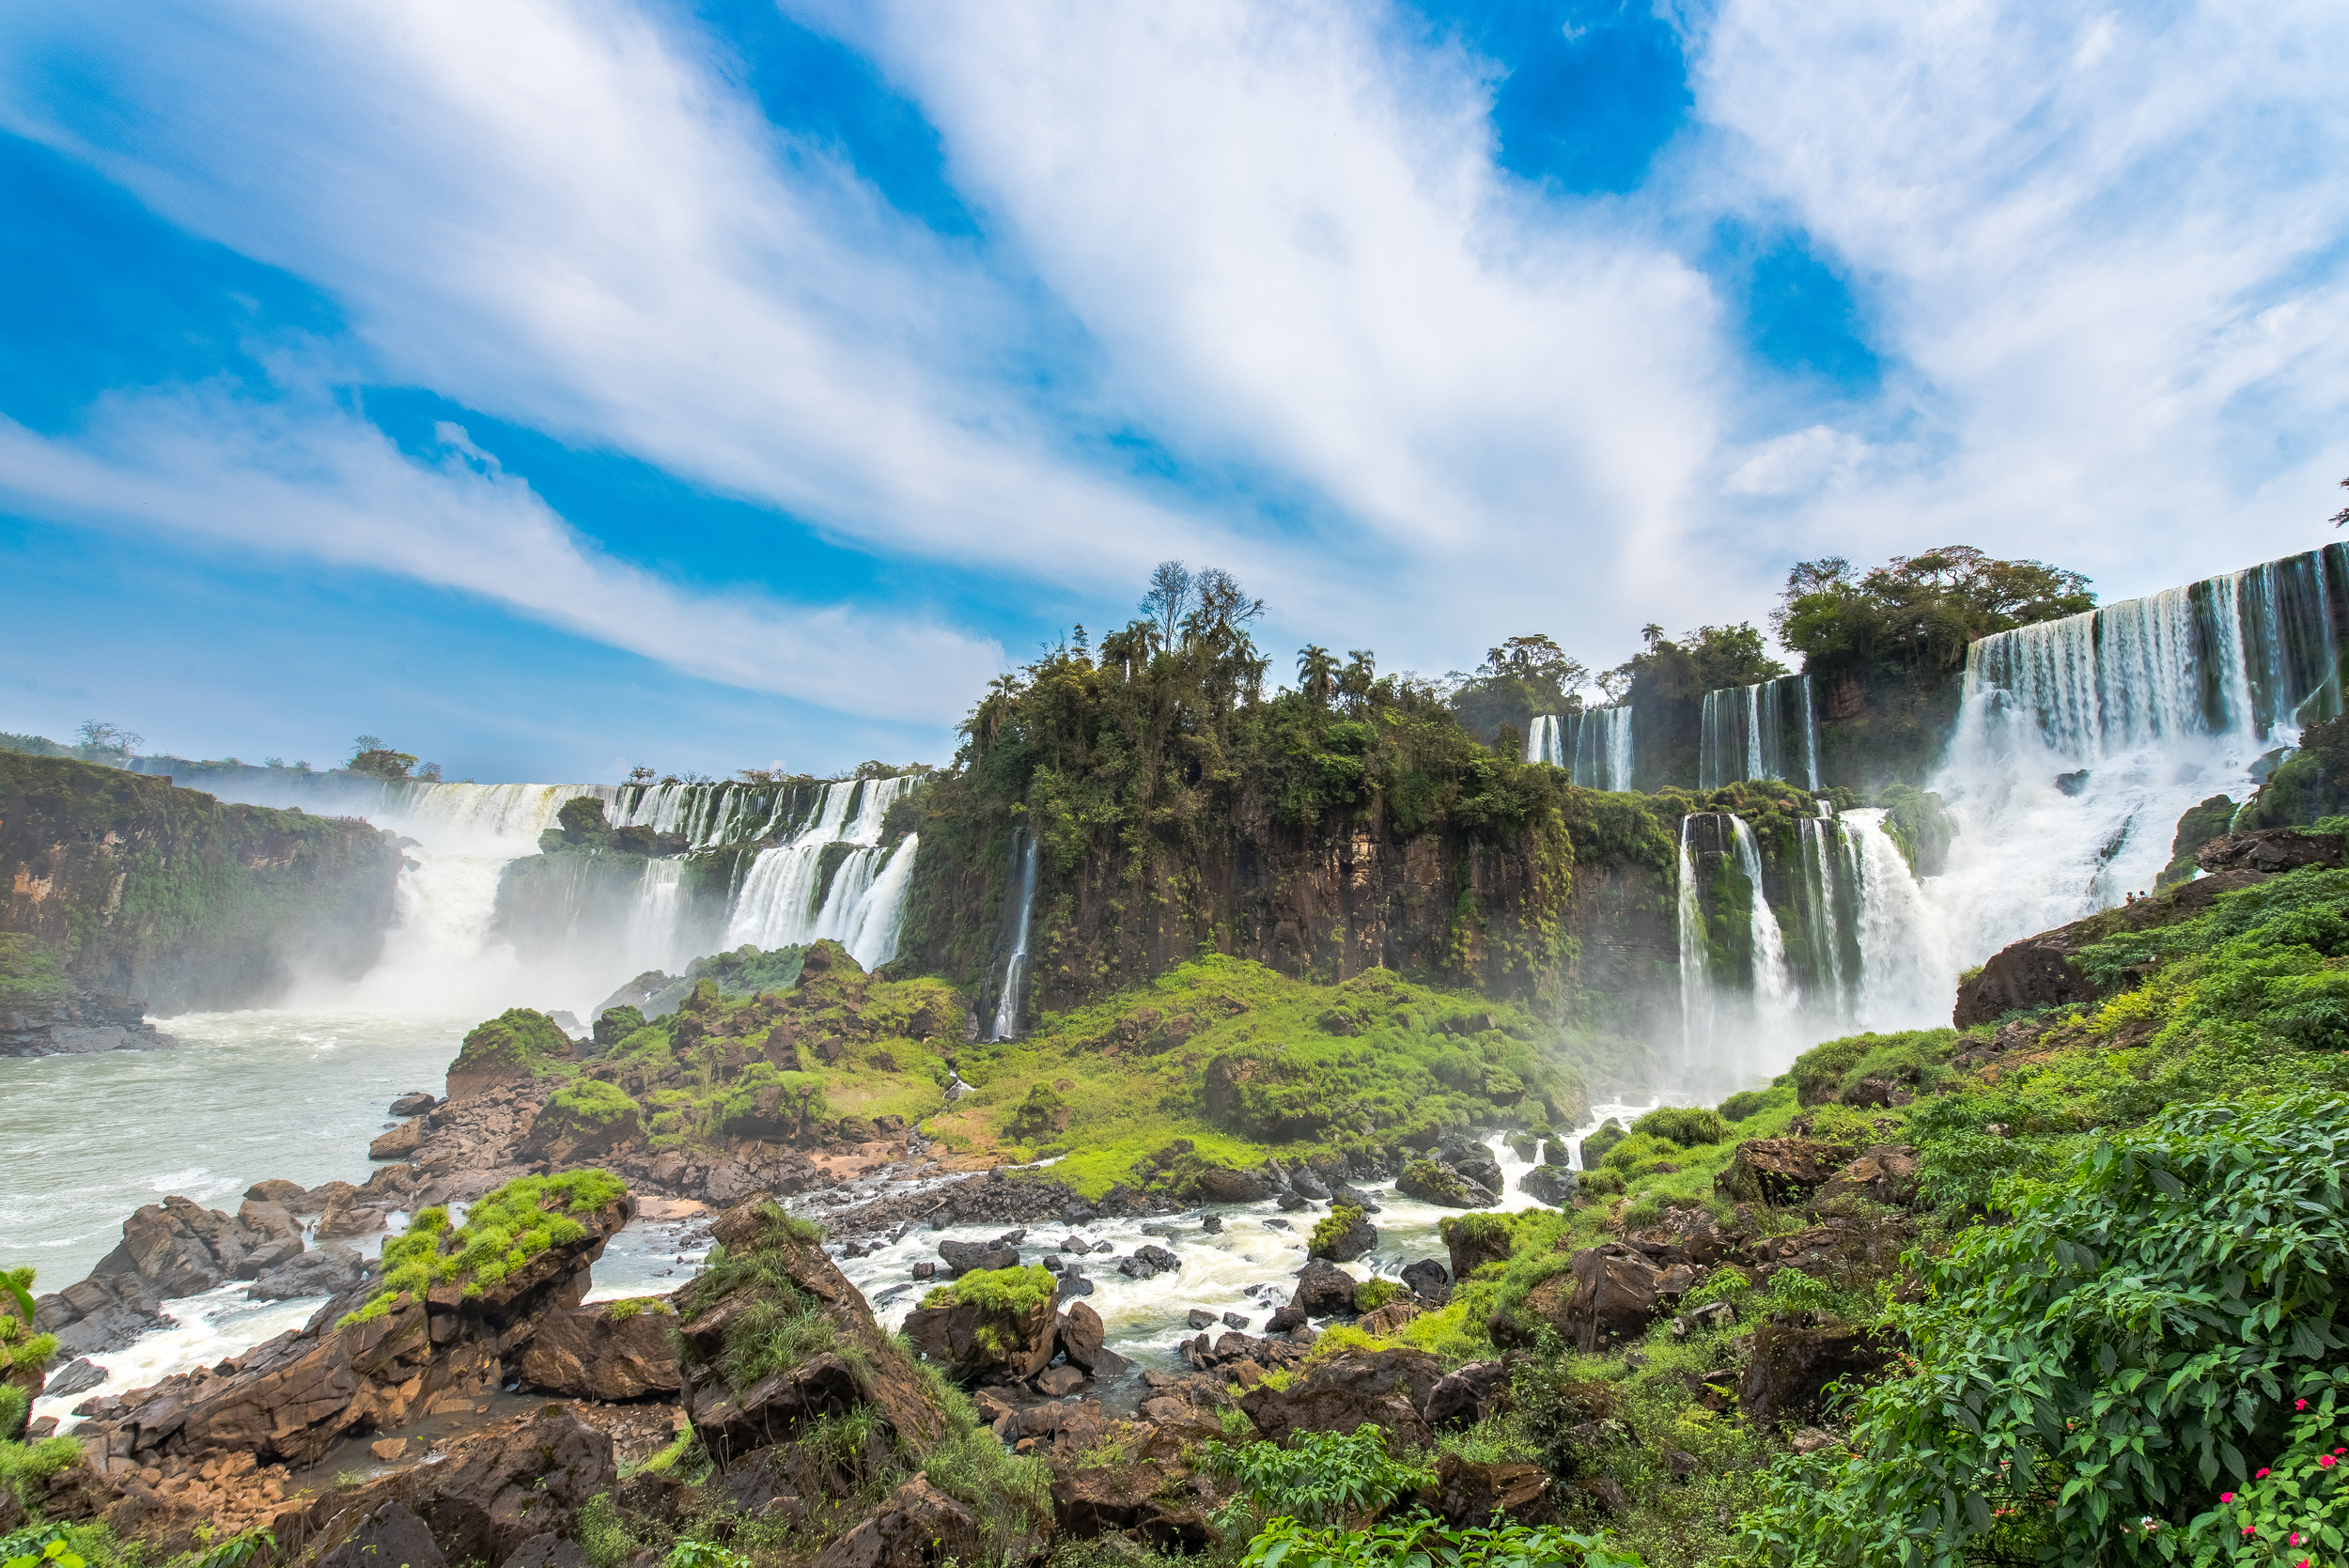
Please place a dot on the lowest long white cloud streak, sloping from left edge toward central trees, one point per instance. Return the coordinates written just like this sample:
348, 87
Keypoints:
316, 482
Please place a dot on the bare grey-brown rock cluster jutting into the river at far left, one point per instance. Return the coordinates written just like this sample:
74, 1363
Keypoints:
168, 1250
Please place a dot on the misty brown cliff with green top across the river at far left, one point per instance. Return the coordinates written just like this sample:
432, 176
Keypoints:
159, 893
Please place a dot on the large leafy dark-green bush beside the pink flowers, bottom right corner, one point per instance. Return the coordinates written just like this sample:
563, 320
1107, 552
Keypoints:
2122, 1351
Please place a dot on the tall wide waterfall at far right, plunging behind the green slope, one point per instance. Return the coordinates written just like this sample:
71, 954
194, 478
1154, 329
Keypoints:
2082, 741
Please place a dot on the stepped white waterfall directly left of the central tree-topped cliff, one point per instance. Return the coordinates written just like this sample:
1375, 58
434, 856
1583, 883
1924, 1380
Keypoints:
779, 903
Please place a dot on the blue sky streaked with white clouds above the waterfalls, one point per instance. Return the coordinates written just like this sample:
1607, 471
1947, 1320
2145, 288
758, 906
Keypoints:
560, 388
